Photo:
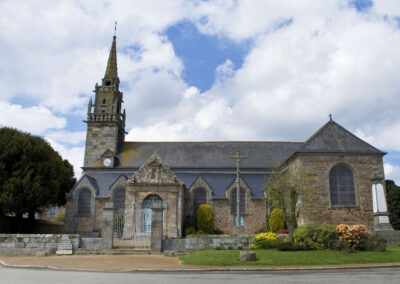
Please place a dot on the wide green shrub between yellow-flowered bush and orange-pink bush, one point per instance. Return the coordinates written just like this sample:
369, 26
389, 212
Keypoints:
316, 236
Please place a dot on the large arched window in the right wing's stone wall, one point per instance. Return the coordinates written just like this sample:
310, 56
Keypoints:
342, 186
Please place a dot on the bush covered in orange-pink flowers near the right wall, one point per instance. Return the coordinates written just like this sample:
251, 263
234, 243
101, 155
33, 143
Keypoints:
353, 237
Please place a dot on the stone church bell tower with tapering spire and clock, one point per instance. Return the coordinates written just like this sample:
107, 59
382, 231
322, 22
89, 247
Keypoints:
105, 122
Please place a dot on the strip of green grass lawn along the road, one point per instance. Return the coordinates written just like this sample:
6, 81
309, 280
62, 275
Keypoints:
273, 257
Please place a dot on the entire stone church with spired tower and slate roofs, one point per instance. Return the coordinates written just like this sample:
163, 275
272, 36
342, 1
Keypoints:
135, 177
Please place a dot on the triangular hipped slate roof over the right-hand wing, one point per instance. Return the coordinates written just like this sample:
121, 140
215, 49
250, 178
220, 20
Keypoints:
332, 137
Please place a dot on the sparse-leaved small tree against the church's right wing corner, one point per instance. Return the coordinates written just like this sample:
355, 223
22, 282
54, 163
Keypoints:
290, 193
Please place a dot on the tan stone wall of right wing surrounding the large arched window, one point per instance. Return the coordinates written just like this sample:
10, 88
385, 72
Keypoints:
320, 210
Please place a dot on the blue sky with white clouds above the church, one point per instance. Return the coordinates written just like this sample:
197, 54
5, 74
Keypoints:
205, 70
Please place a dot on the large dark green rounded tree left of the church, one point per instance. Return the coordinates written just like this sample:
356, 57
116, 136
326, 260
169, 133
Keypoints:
32, 174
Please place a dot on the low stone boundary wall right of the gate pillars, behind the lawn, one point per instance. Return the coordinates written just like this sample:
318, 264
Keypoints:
193, 243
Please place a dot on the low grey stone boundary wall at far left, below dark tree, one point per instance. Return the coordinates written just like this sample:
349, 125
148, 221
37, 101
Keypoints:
32, 244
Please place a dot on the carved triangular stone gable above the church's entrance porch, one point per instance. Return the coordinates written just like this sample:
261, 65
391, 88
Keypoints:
155, 171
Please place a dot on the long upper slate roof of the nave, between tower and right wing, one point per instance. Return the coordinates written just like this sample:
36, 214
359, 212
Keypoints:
209, 155
